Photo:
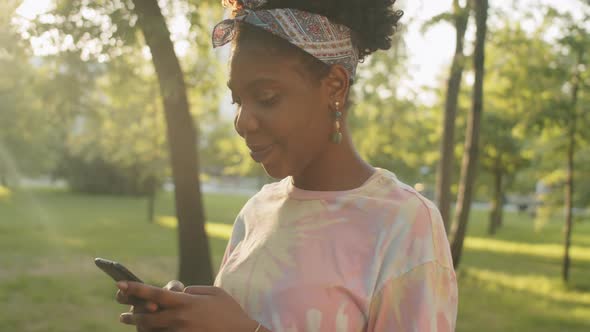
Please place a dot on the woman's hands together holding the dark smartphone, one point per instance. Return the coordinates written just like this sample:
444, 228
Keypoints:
198, 308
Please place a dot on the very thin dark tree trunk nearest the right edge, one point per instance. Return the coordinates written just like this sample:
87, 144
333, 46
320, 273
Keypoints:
569, 190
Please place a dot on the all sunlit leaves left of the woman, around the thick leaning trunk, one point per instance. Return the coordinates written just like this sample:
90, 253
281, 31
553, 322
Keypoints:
98, 96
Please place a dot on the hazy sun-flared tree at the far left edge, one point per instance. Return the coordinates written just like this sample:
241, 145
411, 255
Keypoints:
25, 137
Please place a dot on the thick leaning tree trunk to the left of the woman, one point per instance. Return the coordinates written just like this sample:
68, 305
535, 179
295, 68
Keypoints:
194, 258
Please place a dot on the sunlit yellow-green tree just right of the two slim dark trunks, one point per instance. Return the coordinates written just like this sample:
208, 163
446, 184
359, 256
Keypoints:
506, 87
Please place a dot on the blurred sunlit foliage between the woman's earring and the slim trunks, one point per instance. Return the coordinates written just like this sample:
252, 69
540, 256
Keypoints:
389, 129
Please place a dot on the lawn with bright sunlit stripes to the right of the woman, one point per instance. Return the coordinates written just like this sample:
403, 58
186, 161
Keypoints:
512, 282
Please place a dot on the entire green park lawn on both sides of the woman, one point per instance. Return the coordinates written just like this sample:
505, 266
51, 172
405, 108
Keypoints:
48, 281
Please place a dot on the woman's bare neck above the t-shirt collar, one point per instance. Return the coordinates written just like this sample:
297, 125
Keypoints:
339, 168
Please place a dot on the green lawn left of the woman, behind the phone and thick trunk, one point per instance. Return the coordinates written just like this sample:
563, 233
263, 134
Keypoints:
48, 239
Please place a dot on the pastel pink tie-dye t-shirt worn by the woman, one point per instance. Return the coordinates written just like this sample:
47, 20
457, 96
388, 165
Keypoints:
375, 258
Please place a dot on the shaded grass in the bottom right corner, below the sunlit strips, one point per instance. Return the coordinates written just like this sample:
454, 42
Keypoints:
488, 304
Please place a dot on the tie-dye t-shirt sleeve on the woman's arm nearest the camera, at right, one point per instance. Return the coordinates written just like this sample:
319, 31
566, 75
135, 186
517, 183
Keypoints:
423, 299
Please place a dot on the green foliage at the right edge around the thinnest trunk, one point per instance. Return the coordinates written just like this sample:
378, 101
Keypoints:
555, 116
